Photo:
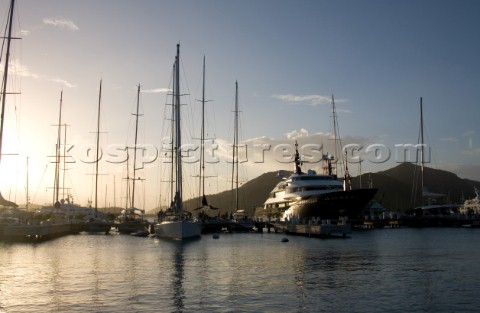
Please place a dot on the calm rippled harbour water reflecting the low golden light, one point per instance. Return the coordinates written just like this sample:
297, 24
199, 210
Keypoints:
395, 270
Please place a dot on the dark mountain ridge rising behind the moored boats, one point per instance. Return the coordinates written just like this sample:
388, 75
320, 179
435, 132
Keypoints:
394, 186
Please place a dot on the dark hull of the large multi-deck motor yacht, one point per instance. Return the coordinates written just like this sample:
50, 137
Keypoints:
332, 205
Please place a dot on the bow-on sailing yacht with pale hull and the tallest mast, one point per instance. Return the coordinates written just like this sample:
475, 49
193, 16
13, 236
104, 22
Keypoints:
175, 223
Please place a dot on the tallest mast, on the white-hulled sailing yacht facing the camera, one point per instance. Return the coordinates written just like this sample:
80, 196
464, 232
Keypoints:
178, 135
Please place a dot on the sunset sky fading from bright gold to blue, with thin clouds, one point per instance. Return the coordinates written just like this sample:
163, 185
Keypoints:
375, 58
